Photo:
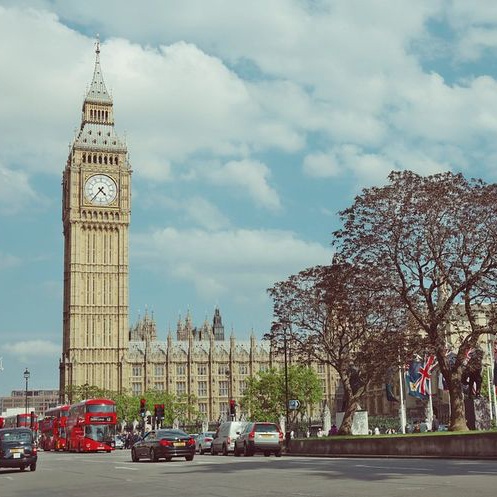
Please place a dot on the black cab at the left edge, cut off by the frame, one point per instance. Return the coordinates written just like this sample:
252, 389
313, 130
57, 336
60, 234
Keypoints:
17, 449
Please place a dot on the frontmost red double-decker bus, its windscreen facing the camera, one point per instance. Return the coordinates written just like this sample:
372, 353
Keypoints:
91, 426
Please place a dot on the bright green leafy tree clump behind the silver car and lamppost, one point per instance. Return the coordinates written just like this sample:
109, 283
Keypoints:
265, 394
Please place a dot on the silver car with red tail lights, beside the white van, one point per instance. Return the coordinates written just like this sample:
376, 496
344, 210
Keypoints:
259, 437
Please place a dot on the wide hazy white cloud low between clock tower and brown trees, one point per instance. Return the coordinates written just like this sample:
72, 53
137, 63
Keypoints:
241, 264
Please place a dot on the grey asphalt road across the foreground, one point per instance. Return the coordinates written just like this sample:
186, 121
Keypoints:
109, 475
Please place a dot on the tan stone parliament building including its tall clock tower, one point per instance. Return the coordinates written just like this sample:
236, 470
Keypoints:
98, 346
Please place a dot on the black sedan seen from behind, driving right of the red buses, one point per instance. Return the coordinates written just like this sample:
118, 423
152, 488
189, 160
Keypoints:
164, 444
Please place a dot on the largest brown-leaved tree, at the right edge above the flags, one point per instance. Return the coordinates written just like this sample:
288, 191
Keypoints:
433, 243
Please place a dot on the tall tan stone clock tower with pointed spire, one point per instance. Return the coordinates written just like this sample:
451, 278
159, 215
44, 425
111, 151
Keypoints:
96, 201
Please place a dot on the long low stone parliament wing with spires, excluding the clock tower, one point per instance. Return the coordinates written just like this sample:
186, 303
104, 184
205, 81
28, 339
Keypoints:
201, 364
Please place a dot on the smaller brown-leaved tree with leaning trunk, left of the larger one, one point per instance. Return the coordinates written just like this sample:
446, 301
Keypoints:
330, 315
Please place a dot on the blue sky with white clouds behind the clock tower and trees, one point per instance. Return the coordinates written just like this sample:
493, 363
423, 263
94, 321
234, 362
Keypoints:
249, 126
